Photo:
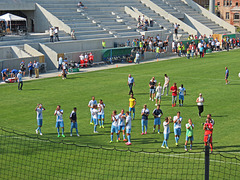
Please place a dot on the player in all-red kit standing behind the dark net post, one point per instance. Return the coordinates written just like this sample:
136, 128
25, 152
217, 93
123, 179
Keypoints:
208, 128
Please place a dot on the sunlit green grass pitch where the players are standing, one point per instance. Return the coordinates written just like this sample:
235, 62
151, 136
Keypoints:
198, 75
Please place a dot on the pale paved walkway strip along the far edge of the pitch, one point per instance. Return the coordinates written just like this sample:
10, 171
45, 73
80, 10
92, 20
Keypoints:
55, 73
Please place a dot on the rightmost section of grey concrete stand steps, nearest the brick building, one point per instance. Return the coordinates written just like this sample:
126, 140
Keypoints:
180, 6
